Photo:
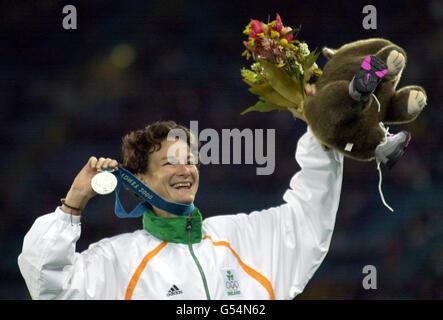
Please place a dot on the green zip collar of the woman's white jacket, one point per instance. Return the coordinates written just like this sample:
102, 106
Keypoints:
174, 229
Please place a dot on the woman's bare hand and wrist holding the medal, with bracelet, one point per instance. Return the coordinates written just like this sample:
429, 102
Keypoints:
81, 191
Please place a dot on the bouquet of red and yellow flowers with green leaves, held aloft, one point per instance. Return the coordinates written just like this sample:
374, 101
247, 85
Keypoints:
282, 65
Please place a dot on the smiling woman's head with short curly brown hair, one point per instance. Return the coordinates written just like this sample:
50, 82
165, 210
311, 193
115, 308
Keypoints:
145, 153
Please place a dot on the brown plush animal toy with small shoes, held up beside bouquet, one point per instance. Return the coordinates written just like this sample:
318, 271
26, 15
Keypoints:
356, 96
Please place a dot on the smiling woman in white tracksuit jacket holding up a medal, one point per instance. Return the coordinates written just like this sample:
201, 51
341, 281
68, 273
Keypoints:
267, 254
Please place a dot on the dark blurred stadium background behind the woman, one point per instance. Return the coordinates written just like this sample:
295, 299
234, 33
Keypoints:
68, 94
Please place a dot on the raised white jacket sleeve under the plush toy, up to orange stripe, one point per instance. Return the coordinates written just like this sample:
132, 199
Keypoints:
288, 243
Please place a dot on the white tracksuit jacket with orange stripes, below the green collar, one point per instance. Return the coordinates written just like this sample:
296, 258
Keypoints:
267, 254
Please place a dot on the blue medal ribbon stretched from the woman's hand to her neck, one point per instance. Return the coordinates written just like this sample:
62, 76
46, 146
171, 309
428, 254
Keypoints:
149, 197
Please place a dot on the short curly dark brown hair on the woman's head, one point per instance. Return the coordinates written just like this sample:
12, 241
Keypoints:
139, 144
